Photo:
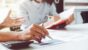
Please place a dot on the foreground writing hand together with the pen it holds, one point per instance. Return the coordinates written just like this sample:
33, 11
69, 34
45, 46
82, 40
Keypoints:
37, 33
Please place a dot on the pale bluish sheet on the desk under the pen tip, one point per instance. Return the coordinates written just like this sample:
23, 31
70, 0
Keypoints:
46, 43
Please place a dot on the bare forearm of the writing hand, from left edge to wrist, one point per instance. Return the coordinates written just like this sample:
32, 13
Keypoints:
10, 36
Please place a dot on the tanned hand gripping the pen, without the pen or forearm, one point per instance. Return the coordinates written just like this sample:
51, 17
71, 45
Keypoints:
36, 33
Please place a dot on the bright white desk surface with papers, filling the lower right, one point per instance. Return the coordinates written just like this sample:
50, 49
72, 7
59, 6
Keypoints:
71, 39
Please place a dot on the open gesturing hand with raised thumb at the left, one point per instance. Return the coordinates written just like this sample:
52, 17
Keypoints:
8, 22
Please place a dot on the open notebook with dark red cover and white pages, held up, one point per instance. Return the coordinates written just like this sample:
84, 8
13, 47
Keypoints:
60, 24
